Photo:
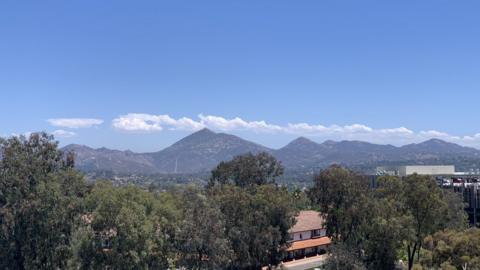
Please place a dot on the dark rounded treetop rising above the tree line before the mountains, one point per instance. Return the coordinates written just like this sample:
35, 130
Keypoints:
247, 170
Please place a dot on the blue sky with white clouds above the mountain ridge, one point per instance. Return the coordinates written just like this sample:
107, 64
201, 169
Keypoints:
382, 71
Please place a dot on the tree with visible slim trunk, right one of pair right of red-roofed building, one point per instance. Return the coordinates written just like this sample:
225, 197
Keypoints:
418, 208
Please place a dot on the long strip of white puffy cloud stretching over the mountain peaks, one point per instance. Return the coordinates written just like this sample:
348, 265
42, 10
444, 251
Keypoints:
140, 122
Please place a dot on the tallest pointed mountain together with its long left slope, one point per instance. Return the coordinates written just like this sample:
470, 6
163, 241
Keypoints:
198, 152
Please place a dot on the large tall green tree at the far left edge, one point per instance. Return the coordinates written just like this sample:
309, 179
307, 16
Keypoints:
40, 200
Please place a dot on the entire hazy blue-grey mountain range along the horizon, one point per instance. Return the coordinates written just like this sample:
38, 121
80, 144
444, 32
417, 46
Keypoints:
204, 149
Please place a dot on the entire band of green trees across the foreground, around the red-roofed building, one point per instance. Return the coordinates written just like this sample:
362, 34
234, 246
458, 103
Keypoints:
51, 218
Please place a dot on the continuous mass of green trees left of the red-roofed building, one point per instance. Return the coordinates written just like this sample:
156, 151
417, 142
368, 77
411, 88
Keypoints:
51, 218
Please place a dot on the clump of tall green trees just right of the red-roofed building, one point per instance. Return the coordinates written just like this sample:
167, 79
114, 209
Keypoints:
379, 225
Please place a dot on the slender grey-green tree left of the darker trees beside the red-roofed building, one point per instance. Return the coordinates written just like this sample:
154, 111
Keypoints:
201, 239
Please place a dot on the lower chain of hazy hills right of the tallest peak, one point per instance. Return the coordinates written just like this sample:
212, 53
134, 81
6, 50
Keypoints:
303, 153
